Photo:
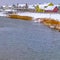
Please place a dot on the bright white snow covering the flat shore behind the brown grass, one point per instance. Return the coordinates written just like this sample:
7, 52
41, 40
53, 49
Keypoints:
37, 15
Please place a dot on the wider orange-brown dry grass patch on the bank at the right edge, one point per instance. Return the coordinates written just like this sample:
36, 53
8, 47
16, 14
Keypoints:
51, 23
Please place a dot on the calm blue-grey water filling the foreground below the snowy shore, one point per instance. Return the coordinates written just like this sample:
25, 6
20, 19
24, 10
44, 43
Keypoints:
27, 40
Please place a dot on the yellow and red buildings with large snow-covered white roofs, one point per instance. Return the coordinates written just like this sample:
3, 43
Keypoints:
49, 7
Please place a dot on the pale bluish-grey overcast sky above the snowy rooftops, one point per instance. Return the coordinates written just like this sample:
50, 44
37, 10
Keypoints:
4, 2
